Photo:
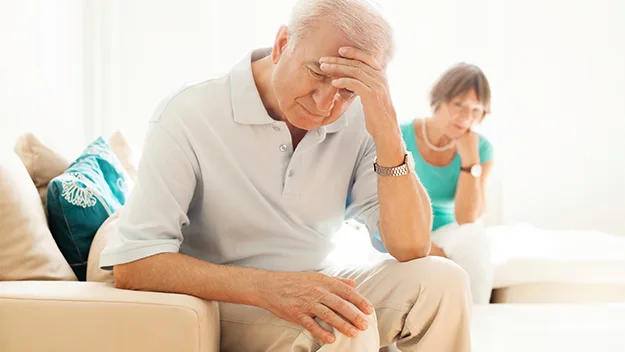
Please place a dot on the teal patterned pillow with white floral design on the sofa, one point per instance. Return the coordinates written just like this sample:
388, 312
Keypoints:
91, 189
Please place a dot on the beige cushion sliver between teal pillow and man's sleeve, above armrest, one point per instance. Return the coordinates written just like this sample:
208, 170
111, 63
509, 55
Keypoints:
108, 229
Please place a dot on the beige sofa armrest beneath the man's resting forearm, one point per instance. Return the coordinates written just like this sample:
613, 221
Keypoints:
89, 316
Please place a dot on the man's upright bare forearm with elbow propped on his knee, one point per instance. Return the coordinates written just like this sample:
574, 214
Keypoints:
405, 209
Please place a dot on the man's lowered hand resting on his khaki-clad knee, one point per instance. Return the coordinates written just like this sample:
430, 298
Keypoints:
300, 297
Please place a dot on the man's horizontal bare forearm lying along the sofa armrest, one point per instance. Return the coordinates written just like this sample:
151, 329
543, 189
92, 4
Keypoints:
179, 273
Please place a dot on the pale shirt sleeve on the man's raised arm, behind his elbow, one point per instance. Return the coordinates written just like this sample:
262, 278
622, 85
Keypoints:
362, 204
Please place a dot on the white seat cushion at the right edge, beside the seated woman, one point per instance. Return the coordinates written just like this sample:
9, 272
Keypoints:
525, 254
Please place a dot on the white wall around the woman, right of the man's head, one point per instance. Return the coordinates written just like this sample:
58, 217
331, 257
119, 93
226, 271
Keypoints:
557, 70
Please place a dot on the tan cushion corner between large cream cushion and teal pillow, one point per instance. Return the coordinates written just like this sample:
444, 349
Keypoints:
43, 164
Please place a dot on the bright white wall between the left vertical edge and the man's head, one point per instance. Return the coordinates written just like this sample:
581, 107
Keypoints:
153, 47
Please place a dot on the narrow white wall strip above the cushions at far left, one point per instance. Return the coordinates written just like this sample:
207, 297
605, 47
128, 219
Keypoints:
41, 72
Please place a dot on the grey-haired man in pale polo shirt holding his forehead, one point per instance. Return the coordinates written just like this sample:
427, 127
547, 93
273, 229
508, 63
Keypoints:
245, 178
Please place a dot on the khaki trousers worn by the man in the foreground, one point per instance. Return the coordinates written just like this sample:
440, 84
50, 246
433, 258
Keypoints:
422, 305
